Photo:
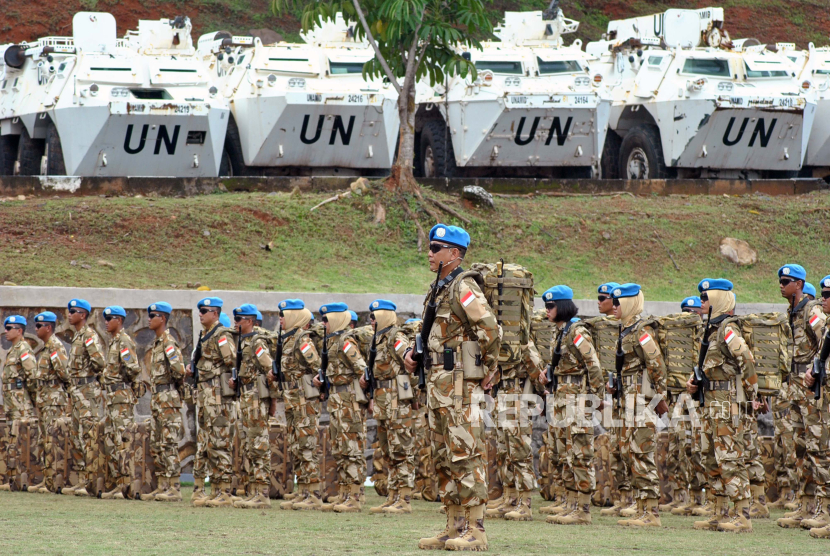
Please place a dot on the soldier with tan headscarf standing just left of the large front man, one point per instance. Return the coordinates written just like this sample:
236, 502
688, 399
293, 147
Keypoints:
394, 414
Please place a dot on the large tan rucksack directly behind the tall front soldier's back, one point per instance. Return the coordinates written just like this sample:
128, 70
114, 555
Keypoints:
513, 308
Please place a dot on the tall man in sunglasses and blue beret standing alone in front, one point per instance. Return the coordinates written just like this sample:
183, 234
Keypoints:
462, 315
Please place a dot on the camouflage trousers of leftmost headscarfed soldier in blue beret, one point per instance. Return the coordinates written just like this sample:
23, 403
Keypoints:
303, 438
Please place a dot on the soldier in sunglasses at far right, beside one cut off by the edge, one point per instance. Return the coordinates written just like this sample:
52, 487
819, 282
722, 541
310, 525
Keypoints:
810, 417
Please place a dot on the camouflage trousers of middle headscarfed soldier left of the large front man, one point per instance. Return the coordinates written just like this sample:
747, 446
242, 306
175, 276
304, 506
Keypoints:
348, 438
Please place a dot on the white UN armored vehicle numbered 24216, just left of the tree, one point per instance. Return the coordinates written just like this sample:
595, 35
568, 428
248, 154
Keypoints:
300, 108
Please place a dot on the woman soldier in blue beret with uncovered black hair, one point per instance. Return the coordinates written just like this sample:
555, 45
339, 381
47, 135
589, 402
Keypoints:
578, 374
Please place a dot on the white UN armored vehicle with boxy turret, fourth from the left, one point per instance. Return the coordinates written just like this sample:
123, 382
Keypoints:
687, 103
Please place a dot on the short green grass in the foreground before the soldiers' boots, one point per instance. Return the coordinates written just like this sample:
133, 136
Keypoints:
48, 524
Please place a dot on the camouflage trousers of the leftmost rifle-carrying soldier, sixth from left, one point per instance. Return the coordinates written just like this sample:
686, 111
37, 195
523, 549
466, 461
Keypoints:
214, 436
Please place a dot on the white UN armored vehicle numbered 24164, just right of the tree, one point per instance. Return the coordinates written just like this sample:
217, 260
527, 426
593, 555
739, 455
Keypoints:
534, 109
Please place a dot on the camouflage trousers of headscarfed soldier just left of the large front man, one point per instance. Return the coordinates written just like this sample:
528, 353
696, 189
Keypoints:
397, 444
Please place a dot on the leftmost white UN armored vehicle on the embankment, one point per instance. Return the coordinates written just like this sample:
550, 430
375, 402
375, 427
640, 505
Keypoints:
95, 105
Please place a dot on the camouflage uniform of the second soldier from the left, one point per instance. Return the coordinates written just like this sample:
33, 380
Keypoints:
51, 401
